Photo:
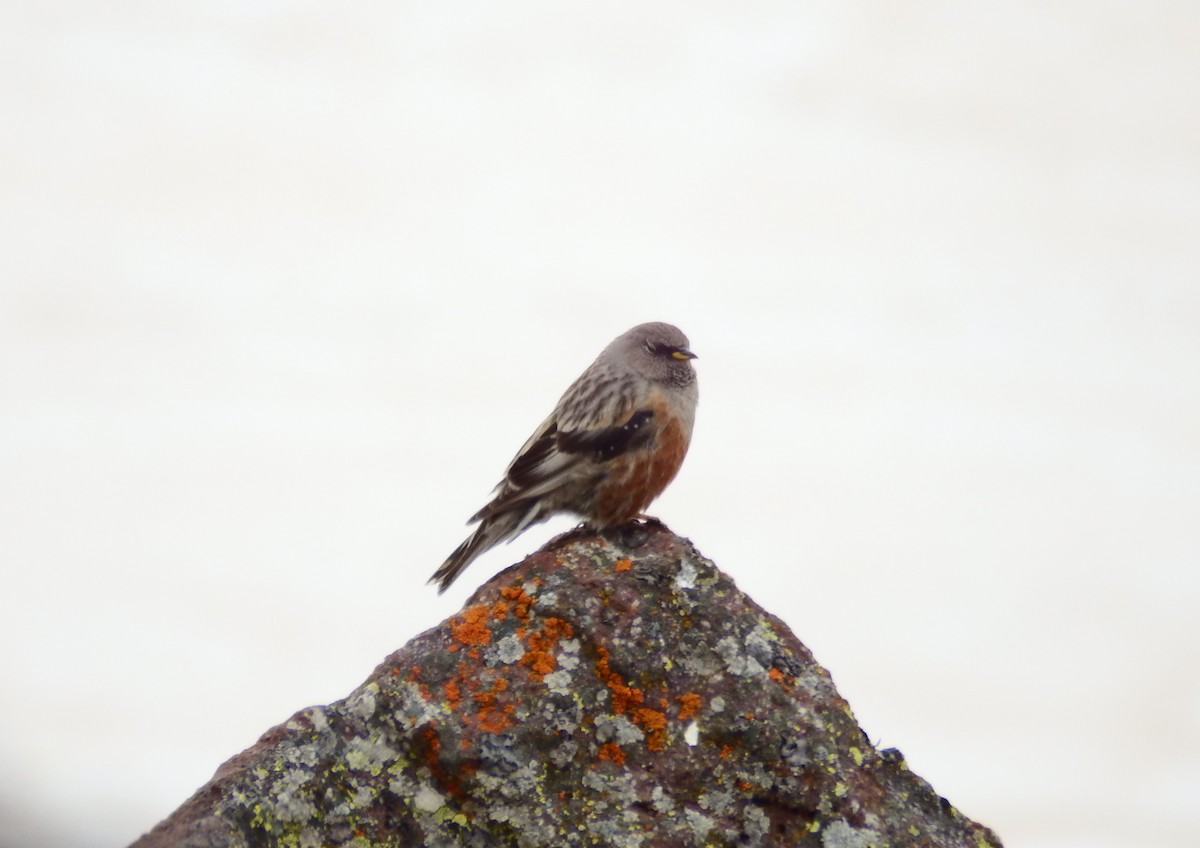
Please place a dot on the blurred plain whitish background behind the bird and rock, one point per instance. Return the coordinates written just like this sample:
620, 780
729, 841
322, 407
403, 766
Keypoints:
286, 285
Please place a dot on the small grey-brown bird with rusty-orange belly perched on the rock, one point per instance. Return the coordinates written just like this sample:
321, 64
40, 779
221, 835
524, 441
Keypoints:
614, 443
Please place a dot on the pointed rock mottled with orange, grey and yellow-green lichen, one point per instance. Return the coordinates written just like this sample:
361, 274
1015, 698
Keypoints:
611, 690
